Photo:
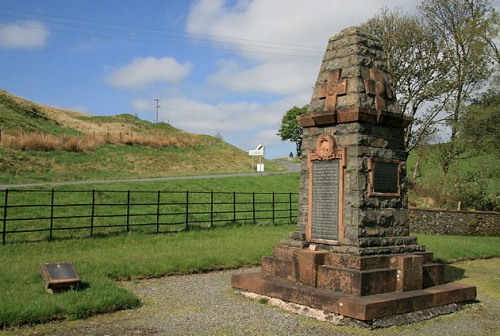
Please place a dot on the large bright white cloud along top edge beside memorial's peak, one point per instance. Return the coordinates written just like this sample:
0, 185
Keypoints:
294, 22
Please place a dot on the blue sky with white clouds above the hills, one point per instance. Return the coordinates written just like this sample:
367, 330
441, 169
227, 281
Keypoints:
227, 67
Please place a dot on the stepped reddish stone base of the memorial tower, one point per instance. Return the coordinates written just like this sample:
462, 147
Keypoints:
360, 287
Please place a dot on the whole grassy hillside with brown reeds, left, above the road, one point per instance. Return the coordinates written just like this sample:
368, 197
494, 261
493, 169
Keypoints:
42, 143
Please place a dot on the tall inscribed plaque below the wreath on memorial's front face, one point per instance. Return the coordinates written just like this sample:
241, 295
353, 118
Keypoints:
325, 199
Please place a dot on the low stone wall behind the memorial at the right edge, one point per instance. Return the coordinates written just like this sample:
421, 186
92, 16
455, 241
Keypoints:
461, 223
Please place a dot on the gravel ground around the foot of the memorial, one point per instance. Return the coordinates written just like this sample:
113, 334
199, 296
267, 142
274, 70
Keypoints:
205, 304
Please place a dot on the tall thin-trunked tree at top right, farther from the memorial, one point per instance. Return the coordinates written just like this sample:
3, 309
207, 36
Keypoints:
464, 28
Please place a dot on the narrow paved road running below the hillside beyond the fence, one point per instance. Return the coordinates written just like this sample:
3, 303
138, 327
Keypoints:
290, 166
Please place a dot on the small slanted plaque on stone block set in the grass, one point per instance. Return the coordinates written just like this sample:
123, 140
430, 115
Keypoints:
59, 276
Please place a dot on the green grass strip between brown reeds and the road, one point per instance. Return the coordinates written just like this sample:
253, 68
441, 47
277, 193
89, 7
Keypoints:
123, 161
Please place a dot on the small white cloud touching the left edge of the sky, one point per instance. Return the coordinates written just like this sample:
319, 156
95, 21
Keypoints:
23, 35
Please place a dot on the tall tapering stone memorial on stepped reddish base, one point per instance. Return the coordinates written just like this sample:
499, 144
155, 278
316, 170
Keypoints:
352, 253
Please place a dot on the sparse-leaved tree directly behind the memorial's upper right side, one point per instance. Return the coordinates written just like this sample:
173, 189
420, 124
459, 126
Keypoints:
412, 53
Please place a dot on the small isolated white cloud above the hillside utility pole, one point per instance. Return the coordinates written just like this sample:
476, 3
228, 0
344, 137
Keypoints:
143, 72
